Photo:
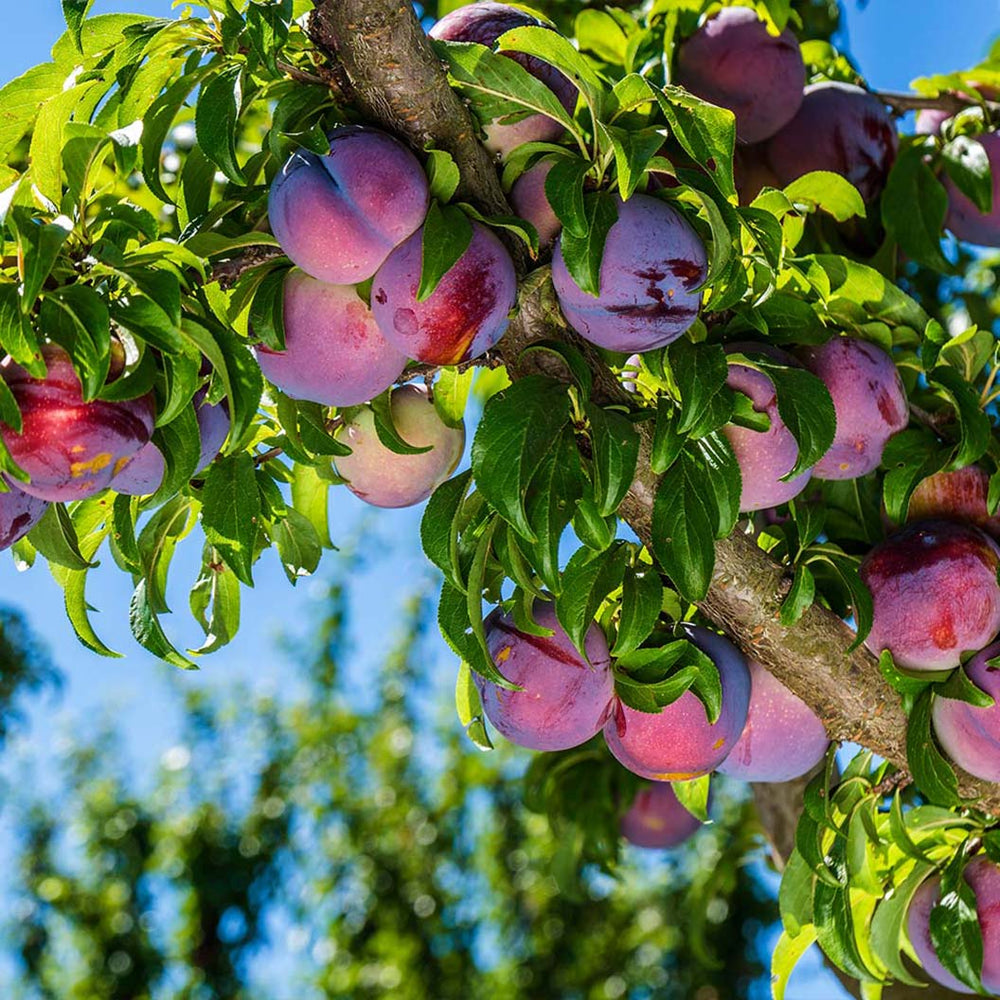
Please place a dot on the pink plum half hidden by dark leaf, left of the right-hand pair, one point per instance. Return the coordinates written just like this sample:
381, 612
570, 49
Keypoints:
763, 456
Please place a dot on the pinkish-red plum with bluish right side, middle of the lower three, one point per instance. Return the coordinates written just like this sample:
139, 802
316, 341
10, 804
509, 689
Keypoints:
679, 743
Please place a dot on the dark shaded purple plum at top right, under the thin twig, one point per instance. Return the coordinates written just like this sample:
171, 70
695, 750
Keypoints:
840, 128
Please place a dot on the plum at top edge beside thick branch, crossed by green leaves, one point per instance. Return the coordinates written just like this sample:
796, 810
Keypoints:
484, 23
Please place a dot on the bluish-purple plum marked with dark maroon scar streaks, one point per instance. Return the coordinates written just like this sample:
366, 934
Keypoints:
653, 263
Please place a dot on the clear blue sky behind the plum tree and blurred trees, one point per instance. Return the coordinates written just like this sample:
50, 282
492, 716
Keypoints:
892, 40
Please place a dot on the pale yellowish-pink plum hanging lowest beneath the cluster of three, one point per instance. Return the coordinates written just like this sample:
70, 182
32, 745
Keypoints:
382, 478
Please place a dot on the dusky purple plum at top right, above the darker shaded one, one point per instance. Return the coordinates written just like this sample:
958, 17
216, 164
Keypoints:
733, 61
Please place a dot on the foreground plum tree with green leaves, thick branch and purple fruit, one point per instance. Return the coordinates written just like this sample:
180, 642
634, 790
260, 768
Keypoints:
733, 493
